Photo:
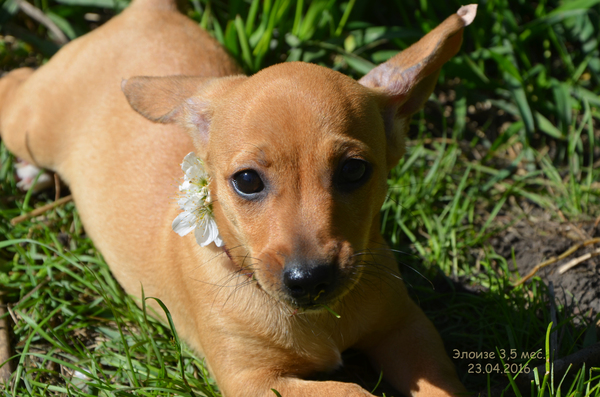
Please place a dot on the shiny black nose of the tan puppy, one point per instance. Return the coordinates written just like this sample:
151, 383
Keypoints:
308, 283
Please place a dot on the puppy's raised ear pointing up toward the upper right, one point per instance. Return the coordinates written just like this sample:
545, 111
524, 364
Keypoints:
405, 82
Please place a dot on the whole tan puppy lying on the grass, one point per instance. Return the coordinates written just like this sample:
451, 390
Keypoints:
298, 156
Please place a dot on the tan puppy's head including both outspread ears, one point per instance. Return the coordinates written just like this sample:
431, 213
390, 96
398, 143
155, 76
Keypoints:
299, 156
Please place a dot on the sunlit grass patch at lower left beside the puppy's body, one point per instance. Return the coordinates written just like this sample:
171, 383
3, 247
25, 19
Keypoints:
74, 320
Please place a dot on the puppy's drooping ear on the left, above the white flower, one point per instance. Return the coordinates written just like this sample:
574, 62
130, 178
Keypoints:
184, 100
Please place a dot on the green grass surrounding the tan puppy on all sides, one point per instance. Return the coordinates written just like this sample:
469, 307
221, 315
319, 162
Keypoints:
513, 124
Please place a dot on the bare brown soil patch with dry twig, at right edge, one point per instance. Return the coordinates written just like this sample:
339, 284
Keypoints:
536, 238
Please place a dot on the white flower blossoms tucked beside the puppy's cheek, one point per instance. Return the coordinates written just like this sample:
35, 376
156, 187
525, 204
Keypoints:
194, 200
